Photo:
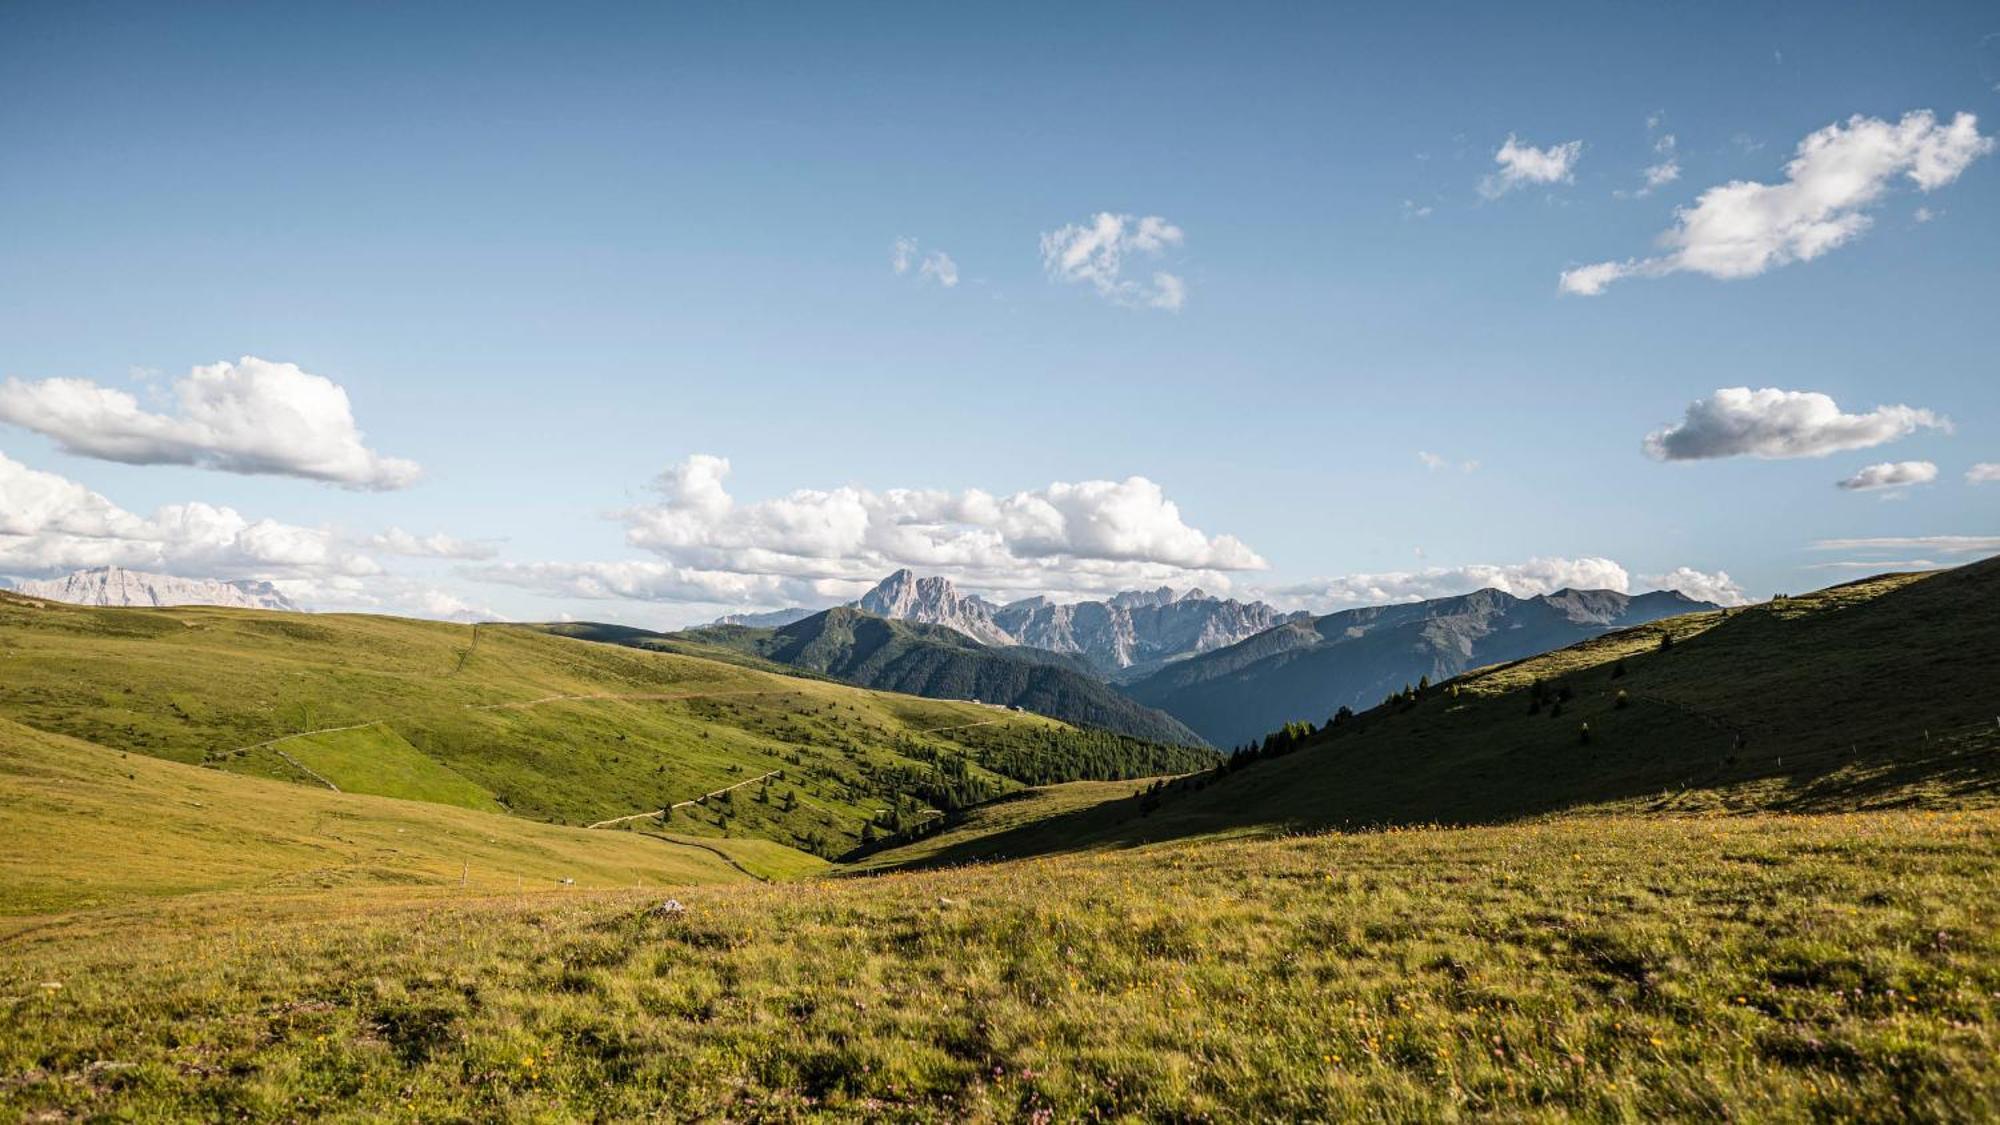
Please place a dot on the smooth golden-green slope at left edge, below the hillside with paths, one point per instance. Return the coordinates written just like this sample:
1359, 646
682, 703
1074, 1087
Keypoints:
87, 828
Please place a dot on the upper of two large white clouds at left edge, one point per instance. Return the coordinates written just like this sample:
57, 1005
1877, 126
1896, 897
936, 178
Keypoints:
237, 417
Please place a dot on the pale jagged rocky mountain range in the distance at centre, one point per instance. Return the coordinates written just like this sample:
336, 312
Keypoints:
1125, 636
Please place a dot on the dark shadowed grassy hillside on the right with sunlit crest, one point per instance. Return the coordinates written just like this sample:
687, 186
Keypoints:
1877, 694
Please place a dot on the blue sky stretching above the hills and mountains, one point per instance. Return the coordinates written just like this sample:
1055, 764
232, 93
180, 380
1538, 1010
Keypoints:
551, 255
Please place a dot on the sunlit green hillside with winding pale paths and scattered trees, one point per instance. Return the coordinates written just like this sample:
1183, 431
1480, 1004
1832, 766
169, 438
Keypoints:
515, 720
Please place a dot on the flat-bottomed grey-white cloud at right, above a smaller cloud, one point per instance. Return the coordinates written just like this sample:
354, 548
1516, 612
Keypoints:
1781, 423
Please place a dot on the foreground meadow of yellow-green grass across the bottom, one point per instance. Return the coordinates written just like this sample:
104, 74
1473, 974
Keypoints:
1619, 968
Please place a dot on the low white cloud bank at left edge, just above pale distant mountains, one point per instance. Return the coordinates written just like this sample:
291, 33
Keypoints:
51, 525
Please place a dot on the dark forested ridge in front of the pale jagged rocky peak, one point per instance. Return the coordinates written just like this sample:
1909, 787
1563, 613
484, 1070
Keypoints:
921, 660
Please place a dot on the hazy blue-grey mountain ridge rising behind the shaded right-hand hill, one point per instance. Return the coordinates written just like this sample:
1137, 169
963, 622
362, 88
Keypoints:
1309, 670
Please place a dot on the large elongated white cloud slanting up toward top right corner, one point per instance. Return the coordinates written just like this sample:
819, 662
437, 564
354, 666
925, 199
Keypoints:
1743, 229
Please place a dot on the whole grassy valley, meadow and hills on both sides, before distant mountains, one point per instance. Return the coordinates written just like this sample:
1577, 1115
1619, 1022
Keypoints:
269, 866
